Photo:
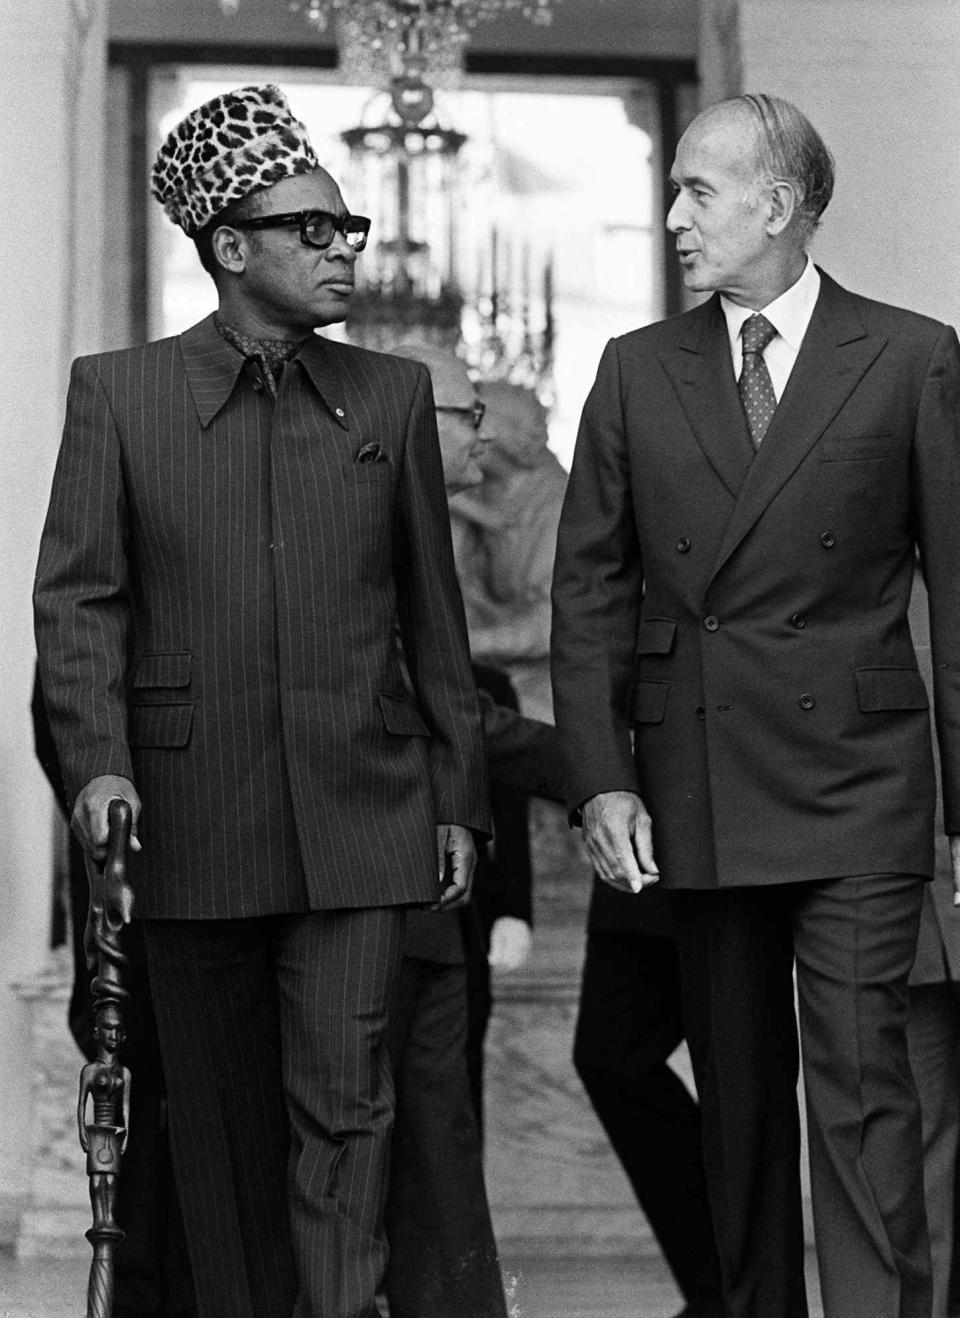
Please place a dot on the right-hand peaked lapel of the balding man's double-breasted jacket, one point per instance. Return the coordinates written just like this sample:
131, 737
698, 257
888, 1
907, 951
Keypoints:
835, 354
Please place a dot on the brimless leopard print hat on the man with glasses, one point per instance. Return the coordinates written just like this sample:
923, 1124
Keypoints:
225, 150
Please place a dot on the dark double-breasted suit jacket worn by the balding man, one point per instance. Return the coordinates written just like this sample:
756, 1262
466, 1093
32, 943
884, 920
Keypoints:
743, 657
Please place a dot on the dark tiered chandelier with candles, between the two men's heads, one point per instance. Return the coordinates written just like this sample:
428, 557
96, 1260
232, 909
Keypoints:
429, 272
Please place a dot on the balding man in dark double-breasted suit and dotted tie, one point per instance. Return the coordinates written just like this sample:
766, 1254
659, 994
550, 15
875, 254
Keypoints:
743, 715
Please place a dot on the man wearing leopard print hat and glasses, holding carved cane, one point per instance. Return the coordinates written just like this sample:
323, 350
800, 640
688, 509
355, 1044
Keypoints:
241, 520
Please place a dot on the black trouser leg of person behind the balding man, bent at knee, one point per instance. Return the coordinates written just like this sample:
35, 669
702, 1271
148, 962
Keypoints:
628, 1026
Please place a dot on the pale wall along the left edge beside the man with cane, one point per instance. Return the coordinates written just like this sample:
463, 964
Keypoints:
52, 53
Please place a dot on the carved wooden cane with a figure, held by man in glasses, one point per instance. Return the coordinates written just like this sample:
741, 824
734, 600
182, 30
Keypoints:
106, 1081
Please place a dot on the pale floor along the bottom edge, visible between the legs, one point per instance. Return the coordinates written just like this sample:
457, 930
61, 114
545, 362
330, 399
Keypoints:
537, 1288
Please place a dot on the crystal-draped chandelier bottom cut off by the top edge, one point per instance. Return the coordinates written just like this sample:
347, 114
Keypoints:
384, 40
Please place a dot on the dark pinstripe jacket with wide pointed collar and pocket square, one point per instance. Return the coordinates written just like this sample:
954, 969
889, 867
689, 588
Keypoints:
217, 602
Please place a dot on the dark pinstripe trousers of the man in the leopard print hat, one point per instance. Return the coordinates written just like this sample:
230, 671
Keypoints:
282, 1104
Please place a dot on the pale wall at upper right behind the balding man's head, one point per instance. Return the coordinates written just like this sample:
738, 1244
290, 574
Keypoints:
882, 82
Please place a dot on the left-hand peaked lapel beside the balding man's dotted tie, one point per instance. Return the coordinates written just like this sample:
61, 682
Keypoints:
702, 374
